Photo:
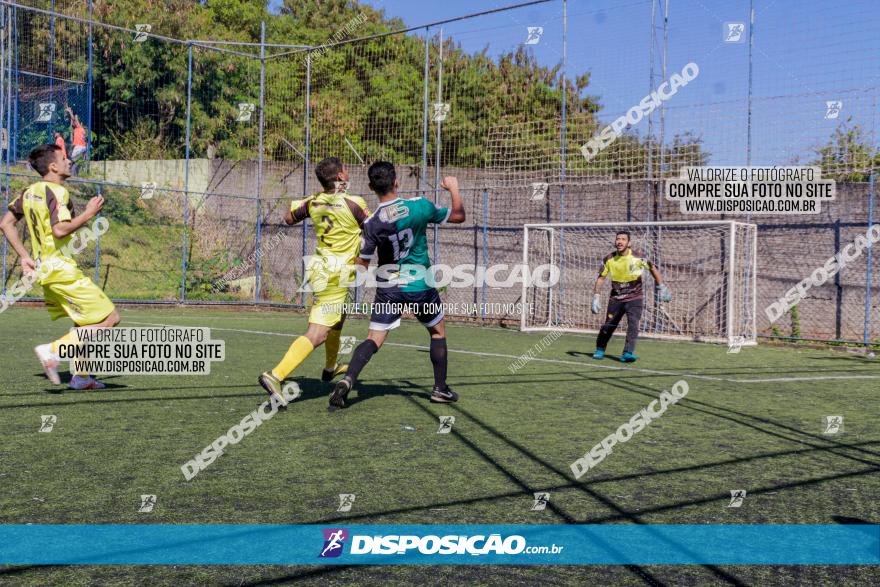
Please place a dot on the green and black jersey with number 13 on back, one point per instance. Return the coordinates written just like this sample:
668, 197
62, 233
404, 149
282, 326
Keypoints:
396, 235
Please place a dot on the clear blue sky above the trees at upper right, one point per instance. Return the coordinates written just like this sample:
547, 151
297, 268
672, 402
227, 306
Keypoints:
806, 54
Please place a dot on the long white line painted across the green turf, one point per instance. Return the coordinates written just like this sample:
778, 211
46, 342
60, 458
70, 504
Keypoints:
581, 364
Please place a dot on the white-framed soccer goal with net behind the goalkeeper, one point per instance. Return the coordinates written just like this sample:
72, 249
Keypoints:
709, 266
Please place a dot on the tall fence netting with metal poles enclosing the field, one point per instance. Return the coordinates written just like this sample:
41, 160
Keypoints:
199, 146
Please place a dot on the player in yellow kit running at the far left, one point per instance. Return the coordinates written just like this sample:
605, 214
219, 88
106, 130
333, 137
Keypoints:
51, 221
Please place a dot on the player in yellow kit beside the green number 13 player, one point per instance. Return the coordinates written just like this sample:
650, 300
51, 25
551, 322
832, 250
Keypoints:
338, 218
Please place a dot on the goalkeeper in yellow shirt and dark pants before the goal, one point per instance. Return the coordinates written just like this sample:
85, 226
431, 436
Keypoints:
627, 296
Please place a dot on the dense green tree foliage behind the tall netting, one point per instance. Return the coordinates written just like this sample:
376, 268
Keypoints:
370, 93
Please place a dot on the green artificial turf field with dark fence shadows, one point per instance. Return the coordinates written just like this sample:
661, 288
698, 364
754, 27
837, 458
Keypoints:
752, 420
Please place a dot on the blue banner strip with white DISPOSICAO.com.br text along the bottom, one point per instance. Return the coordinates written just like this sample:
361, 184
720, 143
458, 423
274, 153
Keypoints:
615, 544
